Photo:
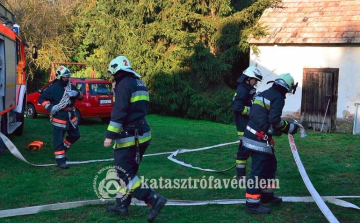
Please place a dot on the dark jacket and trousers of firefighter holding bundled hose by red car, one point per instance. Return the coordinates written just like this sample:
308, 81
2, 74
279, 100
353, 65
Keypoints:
64, 120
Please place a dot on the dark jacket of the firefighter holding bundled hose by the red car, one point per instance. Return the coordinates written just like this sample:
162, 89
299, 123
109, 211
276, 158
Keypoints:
52, 96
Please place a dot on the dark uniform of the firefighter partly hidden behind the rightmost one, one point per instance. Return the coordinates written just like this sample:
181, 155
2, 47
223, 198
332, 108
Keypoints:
241, 106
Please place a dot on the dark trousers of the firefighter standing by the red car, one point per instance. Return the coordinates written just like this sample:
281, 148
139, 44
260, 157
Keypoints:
61, 144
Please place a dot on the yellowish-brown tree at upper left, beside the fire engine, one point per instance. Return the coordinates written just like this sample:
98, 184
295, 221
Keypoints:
47, 25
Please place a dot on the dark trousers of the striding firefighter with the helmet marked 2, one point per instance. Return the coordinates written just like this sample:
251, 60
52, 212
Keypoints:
130, 184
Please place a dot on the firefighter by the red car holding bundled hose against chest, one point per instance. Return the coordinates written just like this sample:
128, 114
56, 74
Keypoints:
59, 99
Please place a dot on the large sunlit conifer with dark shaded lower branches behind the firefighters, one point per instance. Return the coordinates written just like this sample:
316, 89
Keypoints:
187, 50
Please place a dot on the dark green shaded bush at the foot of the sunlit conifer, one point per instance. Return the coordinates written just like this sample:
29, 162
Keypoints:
170, 95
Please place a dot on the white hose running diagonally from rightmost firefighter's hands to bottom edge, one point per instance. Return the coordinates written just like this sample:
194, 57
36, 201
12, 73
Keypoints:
320, 203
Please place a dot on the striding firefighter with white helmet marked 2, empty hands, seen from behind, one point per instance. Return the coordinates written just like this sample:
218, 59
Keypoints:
130, 131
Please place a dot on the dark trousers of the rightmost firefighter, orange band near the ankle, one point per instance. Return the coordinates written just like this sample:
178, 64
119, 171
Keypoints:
263, 169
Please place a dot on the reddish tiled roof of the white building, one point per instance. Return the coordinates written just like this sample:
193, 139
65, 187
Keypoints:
311, 22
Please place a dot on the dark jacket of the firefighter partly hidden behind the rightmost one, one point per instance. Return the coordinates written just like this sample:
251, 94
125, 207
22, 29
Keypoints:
242, 102
